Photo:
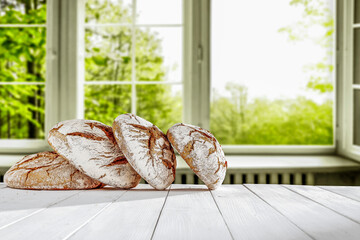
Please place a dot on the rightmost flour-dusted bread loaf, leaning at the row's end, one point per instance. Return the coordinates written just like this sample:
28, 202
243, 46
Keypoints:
201, 151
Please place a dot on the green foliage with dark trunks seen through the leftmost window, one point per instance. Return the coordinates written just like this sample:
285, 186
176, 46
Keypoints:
22, 54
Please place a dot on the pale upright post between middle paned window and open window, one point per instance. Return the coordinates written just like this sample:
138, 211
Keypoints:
196, 62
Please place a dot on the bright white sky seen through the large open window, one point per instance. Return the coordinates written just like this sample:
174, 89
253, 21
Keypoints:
248, 49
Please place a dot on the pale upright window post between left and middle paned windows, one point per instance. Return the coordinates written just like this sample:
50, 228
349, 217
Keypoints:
72, 69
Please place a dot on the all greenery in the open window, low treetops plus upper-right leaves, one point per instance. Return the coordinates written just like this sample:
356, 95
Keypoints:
299, 121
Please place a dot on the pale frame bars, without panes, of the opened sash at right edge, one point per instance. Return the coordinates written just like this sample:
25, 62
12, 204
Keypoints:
346, 88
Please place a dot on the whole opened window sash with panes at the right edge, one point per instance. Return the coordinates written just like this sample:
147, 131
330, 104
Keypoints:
349, 73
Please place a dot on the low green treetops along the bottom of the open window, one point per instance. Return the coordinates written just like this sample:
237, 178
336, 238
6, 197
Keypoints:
296, 121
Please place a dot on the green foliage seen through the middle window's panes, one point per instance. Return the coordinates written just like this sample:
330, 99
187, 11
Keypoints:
108, 57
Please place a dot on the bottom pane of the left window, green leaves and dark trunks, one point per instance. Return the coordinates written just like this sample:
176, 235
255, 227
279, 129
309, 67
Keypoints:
22, 111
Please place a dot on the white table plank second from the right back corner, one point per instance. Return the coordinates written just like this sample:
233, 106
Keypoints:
345, 206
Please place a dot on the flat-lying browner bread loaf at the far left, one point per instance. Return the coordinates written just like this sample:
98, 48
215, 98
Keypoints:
47, 170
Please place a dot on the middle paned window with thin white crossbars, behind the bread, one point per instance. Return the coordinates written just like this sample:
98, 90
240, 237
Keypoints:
133, 58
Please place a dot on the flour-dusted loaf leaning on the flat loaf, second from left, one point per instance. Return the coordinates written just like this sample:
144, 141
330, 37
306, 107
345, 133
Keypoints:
91, 147
